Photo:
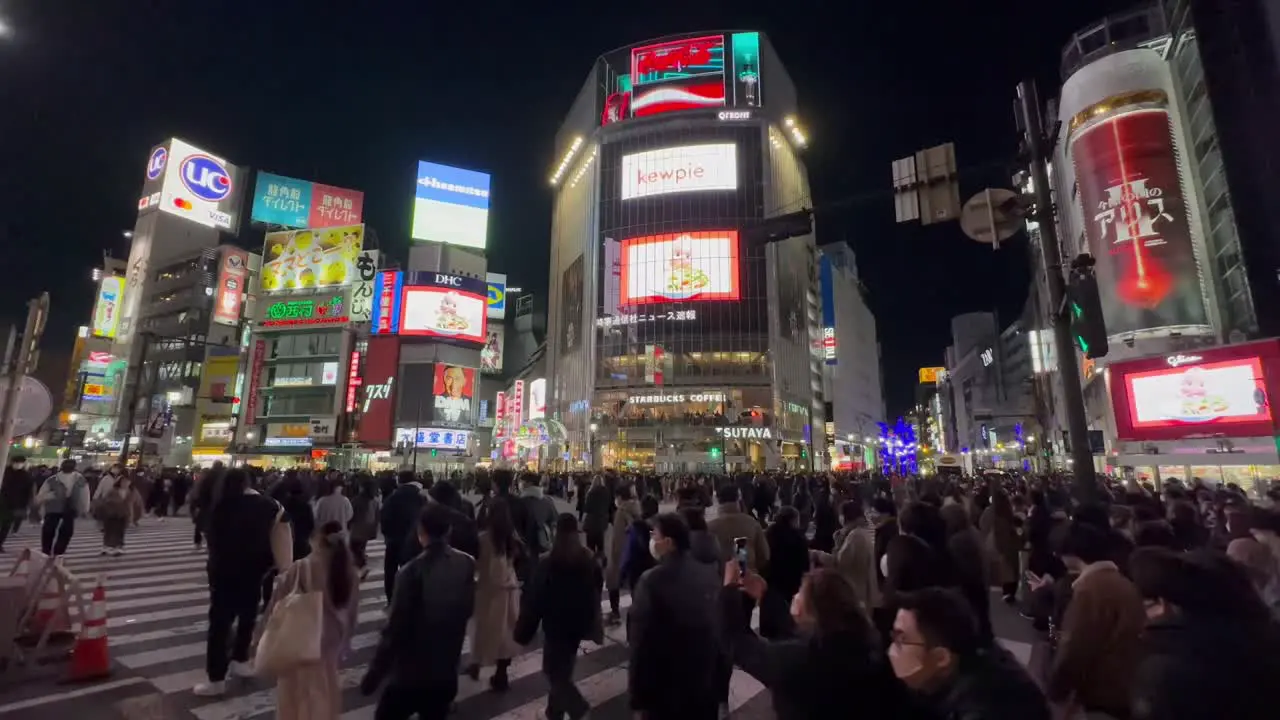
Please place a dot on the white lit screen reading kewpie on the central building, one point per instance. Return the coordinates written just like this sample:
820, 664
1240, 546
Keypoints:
691, 168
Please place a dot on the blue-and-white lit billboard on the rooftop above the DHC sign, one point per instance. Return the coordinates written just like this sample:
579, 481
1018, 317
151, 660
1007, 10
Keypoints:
451, 206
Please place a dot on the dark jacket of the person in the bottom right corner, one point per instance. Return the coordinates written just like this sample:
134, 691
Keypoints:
1209, 668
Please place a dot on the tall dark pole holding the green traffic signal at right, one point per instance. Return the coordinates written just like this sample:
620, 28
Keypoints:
1039, 147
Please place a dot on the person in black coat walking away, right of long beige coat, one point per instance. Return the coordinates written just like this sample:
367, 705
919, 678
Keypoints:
564, 596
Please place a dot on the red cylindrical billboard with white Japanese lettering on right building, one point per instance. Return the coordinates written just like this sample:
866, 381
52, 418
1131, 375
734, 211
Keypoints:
1136, 217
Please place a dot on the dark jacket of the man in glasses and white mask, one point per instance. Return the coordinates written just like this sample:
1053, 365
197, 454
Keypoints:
993, 686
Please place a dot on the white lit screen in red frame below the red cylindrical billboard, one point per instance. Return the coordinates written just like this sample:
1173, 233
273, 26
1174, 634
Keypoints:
1208, 395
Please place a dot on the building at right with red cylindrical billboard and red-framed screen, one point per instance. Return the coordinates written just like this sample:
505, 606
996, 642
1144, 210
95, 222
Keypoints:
1162, 175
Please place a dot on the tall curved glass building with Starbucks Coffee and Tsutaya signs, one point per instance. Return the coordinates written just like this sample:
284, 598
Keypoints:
684, 343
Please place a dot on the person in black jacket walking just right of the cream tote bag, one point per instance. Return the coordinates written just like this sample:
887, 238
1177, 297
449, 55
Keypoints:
422, 645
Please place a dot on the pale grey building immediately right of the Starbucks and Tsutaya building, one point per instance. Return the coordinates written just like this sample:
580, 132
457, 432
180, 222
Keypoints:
852, 362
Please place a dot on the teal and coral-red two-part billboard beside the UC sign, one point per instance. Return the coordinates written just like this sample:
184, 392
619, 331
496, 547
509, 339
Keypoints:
294, 203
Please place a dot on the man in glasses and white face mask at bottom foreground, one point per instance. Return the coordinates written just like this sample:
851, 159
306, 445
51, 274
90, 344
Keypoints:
938, 651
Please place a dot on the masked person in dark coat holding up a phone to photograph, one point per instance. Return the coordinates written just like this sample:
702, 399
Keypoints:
826, 644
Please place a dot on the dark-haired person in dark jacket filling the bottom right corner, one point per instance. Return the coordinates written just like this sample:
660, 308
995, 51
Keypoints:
1210, 645
